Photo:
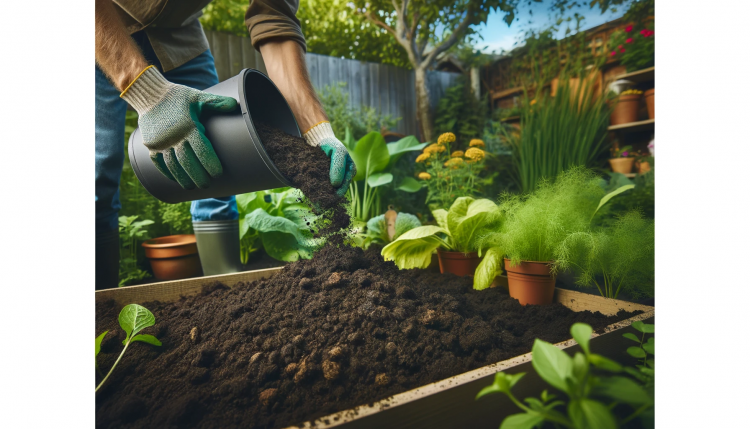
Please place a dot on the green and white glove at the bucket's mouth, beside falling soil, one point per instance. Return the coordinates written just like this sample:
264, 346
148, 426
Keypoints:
342, 166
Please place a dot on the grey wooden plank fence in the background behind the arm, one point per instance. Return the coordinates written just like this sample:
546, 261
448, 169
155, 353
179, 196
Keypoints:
387, 88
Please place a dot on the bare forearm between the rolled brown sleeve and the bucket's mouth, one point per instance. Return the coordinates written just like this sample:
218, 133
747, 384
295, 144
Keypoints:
285, 63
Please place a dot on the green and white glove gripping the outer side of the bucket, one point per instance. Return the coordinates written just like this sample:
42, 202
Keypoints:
168, 118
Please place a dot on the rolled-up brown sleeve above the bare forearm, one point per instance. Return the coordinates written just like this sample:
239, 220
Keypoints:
273, 19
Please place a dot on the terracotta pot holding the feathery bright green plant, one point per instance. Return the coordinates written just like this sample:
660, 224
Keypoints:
530, 282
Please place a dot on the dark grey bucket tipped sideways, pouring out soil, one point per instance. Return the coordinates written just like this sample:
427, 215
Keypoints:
246, 165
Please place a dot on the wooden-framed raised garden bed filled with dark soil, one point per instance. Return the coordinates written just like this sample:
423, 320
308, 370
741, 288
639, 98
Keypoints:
334, 333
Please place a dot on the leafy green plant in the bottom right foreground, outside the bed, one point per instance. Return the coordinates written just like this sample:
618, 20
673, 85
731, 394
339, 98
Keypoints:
596, 394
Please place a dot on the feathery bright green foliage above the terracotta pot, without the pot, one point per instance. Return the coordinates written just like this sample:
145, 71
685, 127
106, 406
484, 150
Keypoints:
534, 225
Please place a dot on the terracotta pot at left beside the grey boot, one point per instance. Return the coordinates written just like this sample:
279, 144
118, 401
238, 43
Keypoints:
173, 257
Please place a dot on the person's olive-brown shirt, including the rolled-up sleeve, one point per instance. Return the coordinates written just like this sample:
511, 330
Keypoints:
176, 34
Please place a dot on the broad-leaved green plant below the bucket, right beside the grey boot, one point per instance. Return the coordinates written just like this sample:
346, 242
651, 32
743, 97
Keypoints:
280, 221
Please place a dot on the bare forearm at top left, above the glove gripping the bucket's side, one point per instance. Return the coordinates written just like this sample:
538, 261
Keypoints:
116, 53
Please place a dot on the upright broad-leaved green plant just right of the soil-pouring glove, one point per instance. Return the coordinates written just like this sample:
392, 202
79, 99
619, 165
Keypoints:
374, 159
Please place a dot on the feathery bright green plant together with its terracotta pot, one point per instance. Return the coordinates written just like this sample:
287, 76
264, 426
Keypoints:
532, 228
